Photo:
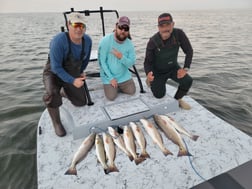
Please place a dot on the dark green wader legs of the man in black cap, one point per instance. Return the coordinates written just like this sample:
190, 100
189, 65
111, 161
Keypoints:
158, 85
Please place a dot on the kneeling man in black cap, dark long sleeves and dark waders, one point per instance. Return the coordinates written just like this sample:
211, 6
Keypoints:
161, 60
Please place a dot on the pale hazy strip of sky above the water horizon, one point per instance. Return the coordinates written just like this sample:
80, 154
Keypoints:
126, 5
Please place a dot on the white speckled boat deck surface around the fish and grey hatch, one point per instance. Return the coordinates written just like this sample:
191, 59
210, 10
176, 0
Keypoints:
220, 148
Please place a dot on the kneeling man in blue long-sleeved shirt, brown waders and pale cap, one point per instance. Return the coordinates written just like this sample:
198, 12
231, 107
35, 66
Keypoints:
69, 56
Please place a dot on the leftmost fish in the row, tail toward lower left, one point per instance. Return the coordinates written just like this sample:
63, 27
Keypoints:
81, 153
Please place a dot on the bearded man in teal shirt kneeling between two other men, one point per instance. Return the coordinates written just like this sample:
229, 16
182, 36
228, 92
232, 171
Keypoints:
116, 55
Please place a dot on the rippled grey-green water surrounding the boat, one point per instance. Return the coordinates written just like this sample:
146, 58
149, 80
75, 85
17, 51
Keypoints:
221, 69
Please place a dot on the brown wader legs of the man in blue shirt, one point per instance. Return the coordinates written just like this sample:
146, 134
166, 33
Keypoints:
53, 85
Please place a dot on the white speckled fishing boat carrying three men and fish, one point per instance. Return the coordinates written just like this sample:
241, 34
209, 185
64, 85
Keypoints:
221, 157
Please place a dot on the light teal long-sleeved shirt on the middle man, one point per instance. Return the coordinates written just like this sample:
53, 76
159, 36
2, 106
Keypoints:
110, 66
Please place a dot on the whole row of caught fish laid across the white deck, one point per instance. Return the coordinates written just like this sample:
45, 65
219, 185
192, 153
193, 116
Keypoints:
106, 151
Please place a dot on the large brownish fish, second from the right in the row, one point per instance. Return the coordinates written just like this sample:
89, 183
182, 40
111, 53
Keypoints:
171, 133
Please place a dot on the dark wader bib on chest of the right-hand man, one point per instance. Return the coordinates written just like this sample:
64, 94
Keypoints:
166, 55
